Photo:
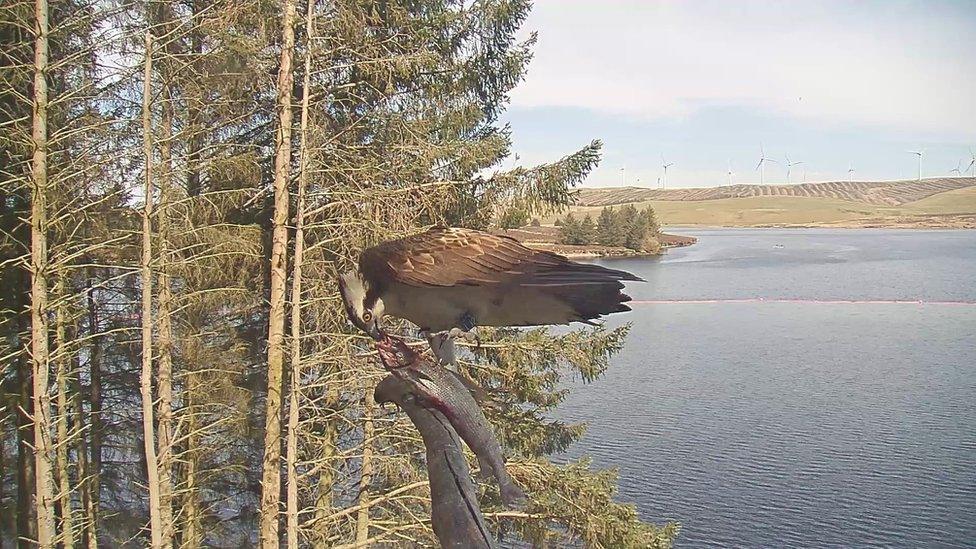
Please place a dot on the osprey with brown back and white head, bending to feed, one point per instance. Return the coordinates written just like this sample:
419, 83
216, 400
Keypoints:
452, 280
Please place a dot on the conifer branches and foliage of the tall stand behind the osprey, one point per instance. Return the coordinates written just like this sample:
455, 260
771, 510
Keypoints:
395, 129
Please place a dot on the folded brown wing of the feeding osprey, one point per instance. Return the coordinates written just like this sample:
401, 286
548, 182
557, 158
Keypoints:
451, 257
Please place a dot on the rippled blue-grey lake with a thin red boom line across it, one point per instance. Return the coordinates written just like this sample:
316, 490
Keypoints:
801, 419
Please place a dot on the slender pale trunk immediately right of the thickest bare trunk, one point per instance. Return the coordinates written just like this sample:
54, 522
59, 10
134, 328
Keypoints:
296, 291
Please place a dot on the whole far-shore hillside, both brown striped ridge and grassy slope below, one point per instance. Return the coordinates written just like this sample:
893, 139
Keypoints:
931, 203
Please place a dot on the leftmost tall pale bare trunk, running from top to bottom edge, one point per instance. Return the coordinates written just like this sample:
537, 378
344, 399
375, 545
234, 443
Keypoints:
39, 272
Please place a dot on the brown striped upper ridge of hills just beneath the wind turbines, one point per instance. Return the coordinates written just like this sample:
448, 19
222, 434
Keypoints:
881, 193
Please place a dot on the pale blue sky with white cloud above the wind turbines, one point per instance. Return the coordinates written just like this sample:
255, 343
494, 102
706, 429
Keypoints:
707, 84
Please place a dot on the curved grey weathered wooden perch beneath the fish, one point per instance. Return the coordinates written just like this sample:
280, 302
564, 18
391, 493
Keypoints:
454, 510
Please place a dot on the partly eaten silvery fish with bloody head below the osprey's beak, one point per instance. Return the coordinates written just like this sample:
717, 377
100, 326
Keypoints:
442, 390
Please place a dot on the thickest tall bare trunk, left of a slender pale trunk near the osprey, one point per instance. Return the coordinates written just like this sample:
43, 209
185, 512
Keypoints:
271, 478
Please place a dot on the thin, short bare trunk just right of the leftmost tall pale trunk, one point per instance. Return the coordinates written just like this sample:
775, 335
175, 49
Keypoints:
62, 360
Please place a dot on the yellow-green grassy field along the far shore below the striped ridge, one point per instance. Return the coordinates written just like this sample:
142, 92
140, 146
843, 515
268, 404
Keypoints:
956, 208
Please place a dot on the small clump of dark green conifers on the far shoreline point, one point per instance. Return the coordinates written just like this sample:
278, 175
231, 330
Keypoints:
626, 227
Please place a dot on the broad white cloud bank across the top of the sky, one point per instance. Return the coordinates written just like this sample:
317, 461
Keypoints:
904, 66
